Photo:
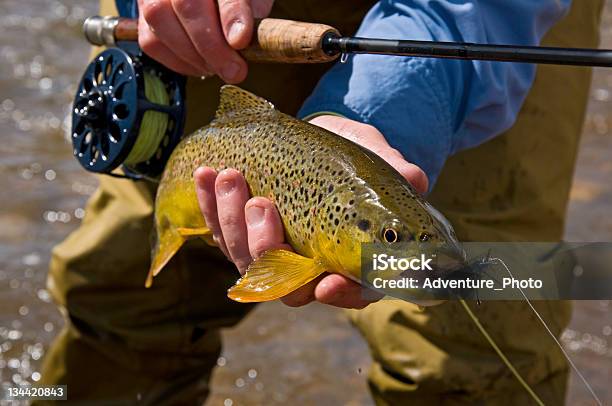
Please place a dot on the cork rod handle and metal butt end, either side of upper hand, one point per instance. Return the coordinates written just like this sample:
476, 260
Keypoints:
275, 40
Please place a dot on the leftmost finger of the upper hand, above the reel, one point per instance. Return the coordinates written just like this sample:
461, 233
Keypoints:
162, 21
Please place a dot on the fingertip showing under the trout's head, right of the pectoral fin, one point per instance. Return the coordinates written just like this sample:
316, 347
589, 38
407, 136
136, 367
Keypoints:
336, 290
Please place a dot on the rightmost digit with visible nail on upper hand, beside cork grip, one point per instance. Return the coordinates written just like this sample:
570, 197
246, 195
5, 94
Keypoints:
237, 22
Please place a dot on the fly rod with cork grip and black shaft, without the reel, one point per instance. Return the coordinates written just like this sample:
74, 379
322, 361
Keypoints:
297, 42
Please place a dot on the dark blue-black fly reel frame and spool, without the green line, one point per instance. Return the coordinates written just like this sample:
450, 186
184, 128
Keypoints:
109, 107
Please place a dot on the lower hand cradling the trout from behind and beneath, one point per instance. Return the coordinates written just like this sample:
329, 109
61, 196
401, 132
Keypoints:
246, 227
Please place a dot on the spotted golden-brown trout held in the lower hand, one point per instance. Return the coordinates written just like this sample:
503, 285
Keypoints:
332, 195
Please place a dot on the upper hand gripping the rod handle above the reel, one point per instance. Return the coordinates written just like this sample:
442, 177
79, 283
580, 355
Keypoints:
200, 37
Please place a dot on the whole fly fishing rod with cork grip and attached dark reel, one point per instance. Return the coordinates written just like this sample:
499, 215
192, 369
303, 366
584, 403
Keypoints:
129, 110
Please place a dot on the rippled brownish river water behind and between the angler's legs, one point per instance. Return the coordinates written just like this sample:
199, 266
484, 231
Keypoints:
311, 354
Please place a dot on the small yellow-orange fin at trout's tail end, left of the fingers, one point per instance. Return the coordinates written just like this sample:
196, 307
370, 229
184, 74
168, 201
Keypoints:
168, 243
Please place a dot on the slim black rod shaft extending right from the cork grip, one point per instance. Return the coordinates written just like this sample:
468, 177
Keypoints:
333, 44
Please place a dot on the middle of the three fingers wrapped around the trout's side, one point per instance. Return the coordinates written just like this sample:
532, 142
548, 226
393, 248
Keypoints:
232, 194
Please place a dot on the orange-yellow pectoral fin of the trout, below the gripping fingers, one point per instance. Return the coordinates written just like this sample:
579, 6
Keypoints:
273, 275
